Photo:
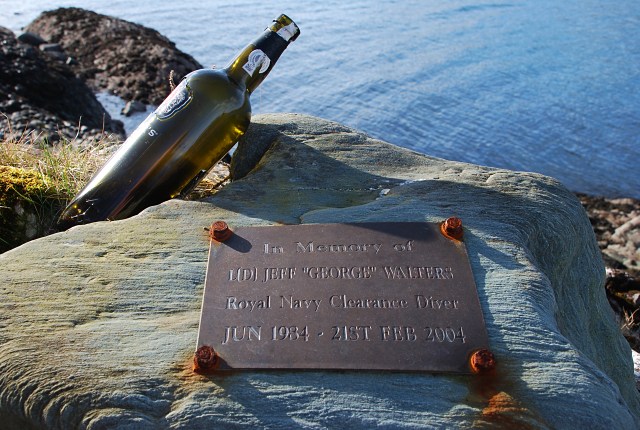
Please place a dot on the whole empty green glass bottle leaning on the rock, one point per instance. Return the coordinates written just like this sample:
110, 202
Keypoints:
177, 144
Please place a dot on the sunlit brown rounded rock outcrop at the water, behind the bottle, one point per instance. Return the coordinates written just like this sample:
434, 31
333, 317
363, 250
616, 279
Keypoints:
126, 59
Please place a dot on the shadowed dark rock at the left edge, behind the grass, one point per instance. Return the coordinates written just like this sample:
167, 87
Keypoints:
38, 91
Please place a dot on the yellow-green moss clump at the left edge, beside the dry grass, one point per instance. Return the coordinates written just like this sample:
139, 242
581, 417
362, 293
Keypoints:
28, 206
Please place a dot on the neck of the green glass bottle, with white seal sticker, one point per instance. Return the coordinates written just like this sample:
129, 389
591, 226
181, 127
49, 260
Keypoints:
253, 63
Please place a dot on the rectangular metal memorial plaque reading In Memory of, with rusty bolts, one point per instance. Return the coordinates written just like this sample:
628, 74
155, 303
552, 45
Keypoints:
376, 296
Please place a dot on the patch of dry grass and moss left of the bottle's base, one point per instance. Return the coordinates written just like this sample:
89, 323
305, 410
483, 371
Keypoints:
37, 180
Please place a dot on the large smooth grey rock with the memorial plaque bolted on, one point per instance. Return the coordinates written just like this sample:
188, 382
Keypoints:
99, 323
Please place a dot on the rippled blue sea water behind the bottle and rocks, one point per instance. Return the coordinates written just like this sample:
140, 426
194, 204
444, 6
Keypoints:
535, 85
